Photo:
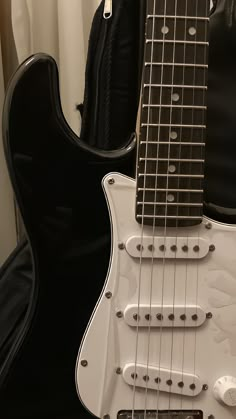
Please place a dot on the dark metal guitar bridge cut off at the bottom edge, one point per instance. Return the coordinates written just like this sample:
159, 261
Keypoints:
176, 414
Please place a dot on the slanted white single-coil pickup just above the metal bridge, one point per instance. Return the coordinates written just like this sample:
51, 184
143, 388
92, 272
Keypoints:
160, 379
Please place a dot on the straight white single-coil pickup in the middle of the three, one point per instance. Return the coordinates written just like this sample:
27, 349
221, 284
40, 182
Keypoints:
164, 316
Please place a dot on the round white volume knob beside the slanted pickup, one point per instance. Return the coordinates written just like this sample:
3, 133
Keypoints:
225, 390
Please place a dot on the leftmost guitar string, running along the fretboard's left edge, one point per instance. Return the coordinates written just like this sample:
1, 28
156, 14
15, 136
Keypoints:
143, 204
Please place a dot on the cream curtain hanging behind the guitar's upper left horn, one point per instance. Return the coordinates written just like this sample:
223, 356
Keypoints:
60, 28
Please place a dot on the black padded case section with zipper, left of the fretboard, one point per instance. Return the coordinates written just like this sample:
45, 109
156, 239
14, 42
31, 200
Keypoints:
113, 75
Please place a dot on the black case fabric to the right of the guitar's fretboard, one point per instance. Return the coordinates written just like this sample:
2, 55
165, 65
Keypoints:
220, 168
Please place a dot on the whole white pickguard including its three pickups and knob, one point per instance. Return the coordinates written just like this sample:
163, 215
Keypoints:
192, 351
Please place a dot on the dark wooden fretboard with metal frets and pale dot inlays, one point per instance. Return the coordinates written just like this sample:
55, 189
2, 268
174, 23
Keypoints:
173, 118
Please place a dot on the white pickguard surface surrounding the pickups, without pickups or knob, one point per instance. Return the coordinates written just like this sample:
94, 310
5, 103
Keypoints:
208, 351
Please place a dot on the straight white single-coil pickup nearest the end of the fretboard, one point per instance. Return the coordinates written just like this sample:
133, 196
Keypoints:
167, 247
